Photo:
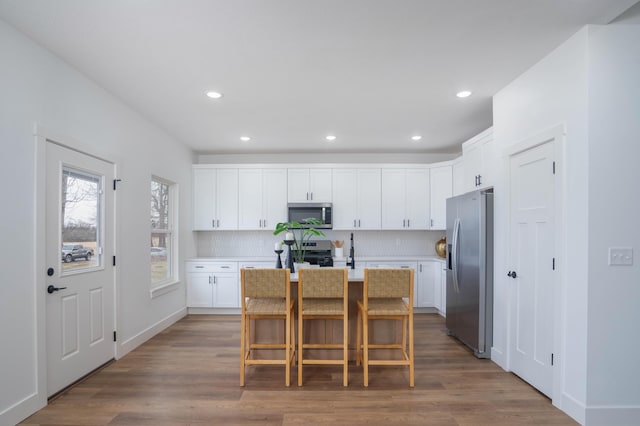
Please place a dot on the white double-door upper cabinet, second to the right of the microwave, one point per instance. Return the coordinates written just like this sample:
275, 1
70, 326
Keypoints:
405, 199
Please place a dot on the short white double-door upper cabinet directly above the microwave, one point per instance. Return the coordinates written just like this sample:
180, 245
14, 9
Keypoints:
309, 185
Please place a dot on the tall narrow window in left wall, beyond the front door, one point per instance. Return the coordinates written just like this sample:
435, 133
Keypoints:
162, 232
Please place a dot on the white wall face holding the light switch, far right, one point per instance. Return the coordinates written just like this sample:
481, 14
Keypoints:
614, 204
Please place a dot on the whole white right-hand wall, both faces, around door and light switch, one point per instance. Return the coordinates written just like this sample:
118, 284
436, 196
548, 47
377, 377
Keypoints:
590, 86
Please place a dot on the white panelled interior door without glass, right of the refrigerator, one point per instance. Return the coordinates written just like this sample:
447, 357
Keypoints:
532, 231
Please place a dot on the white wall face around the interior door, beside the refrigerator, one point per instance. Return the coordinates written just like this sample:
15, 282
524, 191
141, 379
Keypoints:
553, 92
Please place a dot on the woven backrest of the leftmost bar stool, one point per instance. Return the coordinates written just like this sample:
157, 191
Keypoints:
265, 283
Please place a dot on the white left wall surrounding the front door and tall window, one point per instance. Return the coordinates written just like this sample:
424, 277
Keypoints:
37, 87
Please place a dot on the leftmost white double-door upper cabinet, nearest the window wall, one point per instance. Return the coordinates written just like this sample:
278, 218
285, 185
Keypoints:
215, 199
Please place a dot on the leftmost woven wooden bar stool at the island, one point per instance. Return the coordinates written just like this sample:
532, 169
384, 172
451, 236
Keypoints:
266, 294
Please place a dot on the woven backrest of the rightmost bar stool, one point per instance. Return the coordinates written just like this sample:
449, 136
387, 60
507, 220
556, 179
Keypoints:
388, 283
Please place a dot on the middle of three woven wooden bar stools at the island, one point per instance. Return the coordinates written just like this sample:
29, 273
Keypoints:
323, 294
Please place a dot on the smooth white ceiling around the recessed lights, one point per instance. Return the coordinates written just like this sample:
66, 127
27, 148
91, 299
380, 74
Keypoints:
372, 72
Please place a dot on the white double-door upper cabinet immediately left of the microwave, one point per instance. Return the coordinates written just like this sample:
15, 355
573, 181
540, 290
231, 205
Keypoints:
262, 198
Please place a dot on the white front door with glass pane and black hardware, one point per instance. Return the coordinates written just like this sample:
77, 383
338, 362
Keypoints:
80, 274
